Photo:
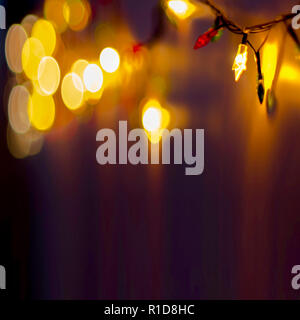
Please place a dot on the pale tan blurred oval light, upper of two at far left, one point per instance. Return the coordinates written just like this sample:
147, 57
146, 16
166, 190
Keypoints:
15, 39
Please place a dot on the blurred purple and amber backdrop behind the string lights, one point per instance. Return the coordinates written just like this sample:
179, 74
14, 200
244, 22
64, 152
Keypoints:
72, 229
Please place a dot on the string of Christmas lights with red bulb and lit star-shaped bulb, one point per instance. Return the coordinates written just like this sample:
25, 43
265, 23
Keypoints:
183, 9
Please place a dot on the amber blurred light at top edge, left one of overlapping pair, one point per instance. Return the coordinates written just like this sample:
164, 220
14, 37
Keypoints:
54, 12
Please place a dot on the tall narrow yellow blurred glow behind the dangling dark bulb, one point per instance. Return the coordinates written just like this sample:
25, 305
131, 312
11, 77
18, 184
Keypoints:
269, 63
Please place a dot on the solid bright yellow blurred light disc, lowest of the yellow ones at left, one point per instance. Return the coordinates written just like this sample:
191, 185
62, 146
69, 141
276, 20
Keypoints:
41, 111
